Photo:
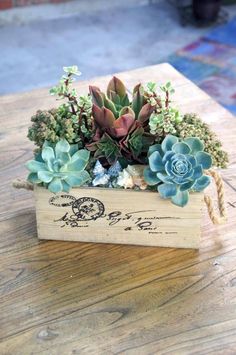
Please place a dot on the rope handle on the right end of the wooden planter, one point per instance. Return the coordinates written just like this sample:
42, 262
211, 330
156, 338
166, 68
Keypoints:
222, 217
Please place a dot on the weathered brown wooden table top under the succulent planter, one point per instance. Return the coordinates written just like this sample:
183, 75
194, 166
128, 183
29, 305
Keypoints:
82, 298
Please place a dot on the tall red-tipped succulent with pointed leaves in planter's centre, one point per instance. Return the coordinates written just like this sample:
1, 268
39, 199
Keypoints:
121, 125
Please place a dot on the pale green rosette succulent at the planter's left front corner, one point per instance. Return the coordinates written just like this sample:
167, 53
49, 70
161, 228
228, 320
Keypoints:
59, 167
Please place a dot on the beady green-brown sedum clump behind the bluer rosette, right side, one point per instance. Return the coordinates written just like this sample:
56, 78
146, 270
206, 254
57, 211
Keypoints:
193, 126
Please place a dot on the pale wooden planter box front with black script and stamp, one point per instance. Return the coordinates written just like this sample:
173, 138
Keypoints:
103, 215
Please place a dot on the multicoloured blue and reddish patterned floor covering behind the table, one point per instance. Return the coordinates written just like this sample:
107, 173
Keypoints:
211, 63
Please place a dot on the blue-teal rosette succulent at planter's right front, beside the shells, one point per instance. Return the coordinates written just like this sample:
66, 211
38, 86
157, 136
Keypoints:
177, 166
